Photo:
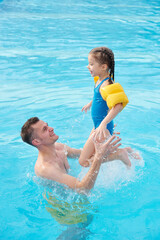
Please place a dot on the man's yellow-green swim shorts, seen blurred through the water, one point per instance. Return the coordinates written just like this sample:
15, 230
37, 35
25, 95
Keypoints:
77, 212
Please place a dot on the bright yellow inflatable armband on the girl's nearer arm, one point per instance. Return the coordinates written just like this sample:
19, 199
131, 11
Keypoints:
114, 94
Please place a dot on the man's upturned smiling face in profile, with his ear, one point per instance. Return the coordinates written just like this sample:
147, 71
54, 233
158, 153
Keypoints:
44, 134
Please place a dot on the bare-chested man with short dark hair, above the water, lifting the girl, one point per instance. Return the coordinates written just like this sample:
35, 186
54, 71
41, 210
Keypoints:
52, 158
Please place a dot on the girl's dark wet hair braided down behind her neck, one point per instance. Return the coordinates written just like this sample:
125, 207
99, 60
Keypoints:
105, 55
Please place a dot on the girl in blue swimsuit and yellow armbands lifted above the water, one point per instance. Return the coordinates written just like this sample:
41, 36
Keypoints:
108, 100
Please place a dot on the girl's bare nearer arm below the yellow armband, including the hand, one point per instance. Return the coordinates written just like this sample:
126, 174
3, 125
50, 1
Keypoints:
101, 131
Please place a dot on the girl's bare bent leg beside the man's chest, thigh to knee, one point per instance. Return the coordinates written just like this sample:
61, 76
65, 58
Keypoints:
87, 152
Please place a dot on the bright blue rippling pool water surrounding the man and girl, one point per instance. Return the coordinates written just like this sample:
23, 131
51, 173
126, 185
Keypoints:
43, 57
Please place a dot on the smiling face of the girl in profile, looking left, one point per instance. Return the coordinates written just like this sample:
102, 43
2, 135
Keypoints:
94, 67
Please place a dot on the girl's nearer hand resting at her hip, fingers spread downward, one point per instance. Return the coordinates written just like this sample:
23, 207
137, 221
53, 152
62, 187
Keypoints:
101, 133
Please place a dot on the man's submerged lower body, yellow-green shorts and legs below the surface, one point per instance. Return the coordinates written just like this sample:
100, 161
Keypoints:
76, 214
